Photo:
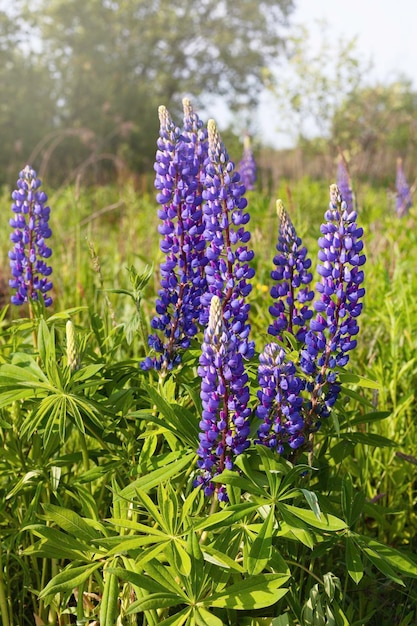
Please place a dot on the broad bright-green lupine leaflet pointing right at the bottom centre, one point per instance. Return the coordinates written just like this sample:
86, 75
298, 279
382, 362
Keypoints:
252, 593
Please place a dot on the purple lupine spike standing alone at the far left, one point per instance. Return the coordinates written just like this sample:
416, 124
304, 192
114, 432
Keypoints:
30, 272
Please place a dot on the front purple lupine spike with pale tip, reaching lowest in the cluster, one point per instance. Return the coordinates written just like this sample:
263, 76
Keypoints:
224, 393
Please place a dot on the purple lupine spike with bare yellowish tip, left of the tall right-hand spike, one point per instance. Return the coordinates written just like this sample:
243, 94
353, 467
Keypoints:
291, 292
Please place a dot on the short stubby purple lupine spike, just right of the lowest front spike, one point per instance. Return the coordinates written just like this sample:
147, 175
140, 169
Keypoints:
280, 401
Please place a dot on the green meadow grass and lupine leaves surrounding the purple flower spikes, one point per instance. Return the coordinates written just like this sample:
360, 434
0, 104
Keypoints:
98, 513
